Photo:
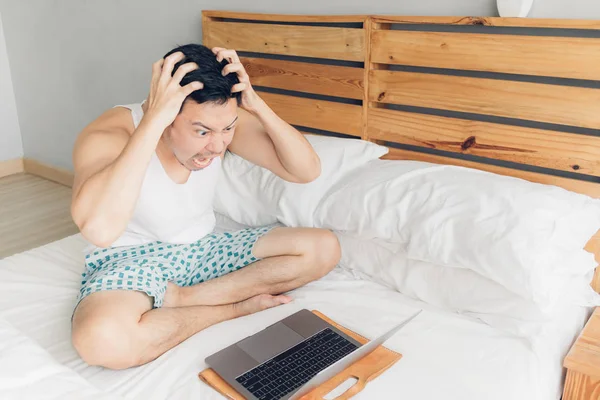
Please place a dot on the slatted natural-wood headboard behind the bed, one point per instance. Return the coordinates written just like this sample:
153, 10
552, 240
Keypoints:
512, 96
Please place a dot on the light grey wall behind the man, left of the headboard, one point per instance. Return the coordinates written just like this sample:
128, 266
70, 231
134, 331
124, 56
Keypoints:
73, 59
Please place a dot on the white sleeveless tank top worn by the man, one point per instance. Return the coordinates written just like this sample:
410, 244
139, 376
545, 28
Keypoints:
167, 211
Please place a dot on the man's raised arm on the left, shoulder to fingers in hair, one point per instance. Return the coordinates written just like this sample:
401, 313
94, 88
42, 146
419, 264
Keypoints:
110, 164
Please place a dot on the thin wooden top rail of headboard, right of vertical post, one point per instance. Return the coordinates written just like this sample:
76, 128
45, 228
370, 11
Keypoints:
493, 21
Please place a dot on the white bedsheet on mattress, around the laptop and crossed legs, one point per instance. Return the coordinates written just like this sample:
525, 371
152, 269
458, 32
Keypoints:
445, 355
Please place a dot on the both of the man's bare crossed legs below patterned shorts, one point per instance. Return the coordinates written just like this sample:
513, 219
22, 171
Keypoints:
119, 329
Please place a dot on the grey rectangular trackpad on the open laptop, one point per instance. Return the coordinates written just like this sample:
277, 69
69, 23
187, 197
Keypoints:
270, 342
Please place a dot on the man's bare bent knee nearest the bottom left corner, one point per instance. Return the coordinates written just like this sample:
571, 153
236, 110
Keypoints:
104, 342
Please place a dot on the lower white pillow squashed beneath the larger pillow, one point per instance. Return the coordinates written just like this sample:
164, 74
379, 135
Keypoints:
458, 290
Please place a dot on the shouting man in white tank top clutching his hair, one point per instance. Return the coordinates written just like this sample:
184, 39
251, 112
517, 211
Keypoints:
144, 181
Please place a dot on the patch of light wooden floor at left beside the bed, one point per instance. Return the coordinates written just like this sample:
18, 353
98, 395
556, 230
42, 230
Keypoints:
33, 212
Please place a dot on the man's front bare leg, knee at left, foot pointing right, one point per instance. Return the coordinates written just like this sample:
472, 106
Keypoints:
118, 329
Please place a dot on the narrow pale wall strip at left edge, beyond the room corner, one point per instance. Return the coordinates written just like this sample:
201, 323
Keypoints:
10, 134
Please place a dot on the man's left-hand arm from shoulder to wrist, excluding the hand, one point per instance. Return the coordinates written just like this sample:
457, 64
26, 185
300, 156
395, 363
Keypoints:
109, 169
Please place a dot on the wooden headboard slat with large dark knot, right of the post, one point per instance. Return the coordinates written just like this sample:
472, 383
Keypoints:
549, 149
